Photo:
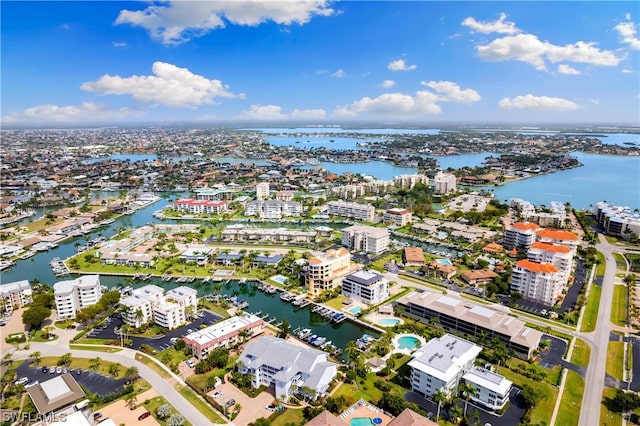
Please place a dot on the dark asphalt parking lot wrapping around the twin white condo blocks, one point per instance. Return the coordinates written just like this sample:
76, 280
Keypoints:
114, 322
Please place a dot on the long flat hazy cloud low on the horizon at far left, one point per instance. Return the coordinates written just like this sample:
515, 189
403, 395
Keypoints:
85, 112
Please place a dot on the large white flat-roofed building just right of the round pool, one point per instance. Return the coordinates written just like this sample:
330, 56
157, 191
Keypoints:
440, 364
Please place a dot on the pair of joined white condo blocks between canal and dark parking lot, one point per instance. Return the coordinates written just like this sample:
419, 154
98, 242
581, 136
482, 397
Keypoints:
150, 303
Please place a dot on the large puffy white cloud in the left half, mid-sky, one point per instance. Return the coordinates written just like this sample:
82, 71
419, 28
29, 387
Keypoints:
170, 86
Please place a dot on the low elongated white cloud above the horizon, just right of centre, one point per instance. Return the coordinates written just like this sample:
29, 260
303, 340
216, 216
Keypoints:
393, 105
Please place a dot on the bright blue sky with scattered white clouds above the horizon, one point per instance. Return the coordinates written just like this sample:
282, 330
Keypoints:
317, 61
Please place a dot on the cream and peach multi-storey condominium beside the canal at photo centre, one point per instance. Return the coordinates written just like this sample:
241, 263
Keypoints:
325, 271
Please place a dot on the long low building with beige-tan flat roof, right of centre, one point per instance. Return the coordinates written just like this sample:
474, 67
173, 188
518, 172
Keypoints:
466, 318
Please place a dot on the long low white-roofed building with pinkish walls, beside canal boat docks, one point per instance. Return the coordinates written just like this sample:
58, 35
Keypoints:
227, 333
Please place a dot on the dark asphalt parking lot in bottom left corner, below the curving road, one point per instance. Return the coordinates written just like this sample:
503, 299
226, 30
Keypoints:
94, 382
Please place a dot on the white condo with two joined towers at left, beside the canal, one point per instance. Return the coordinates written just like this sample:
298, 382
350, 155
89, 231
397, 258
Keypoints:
73, 295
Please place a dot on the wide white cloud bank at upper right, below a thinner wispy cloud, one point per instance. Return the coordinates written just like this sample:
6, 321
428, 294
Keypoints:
528, 48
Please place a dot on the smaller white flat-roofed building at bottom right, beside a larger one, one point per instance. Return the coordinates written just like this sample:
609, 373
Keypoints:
490, 389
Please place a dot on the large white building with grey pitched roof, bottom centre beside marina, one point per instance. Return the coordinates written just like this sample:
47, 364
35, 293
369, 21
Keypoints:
272, 361
